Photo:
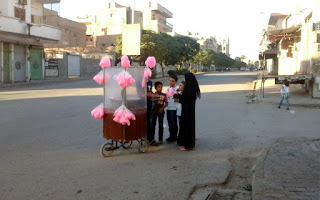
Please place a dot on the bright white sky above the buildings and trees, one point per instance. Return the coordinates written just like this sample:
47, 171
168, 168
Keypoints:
241, 21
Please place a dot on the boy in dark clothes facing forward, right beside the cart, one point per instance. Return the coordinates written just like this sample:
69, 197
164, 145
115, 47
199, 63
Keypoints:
159, 104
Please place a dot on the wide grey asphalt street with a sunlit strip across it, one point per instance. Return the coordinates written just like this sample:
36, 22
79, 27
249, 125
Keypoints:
49, 143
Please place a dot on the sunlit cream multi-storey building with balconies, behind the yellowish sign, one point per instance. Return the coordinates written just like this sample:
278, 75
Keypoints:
109, 21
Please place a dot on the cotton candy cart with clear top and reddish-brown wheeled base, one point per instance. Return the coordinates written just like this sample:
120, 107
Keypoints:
124, 109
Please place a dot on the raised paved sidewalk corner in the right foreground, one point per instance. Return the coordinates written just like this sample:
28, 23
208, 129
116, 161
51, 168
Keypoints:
288, 169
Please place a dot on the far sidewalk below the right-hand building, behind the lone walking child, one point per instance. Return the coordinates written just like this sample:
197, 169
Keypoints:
298, 96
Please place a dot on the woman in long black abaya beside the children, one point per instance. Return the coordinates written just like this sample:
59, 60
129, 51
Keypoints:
191, 92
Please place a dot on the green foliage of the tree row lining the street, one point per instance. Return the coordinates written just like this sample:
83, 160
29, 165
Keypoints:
177, 50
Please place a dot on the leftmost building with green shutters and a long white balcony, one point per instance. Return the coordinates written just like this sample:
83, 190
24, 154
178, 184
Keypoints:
22, 38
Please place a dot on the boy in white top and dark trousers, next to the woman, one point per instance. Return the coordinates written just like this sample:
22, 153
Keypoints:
172, 111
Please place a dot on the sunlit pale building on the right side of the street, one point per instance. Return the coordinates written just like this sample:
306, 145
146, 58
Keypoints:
290, 48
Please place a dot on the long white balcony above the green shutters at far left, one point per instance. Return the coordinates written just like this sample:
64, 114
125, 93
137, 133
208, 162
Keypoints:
12, 26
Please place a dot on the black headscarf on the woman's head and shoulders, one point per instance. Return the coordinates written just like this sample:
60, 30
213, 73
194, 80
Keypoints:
191, 90
